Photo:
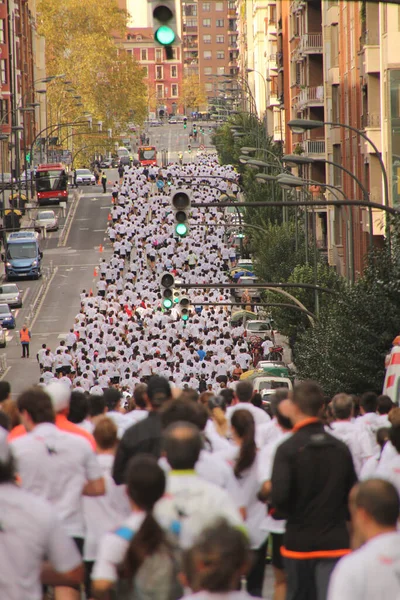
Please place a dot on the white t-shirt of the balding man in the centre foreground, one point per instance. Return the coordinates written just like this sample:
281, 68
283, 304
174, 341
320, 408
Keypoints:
196, 504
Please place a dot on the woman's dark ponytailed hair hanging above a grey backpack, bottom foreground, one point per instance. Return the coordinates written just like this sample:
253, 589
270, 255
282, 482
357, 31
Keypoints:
146, 485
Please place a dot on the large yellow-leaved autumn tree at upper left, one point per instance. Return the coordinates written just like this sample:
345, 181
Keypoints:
79, 44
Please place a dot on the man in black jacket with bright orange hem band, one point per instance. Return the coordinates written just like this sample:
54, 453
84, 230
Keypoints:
312, 476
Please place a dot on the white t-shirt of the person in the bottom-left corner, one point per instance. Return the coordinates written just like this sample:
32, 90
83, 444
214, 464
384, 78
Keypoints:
30, 533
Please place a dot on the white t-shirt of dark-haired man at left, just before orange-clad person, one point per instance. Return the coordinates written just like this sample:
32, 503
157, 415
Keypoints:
56, 465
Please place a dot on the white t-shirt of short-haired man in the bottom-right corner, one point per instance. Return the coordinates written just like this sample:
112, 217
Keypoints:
369, 573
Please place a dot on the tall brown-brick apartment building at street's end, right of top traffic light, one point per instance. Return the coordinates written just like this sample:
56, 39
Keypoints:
209, 42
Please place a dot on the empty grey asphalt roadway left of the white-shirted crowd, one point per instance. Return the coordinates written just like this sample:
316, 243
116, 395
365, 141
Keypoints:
69, 258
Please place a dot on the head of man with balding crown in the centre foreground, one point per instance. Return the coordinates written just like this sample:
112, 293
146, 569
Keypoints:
182, 444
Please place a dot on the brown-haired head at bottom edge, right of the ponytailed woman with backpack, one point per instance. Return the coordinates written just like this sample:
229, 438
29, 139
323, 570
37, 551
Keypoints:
217, 560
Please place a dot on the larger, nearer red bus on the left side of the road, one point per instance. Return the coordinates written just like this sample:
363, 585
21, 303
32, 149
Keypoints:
51, 184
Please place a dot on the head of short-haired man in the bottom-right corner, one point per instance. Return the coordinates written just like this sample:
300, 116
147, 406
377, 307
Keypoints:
374, 507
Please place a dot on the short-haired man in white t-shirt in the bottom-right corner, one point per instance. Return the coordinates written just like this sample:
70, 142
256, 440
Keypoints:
372, 571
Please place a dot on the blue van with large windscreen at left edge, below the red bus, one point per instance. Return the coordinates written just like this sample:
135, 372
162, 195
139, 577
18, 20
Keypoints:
22, 256
